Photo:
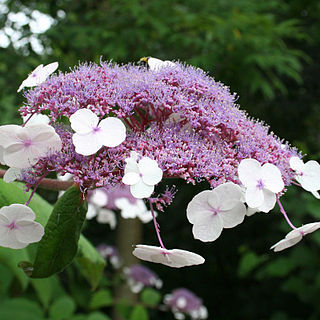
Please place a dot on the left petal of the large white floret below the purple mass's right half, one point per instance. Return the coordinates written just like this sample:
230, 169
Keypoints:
199, 206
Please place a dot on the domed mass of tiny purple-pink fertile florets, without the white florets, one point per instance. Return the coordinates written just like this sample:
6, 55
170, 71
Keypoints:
179, 116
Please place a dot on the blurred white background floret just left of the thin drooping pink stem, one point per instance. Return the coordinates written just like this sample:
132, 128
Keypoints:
133, 210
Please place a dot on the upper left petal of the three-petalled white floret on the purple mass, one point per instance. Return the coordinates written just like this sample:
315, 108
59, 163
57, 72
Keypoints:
83, 121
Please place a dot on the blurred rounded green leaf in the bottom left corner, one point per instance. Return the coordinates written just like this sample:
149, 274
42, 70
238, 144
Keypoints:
20, 309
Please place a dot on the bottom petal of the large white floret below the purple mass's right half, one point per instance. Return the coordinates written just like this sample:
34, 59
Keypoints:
208, 228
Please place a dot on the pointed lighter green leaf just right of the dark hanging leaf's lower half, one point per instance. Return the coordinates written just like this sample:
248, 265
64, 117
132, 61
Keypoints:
91, 262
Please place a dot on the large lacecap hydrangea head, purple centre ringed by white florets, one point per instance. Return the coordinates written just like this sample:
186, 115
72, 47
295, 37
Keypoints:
112, 125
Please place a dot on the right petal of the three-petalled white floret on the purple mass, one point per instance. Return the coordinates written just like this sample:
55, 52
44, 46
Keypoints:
112, 133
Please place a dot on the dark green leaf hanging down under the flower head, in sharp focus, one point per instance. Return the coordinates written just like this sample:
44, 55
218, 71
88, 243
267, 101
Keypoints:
59, 244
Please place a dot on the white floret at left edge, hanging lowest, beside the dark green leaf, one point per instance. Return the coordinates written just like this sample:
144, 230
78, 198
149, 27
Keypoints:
17, 227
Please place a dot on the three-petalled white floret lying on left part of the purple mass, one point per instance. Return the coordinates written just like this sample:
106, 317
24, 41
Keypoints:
91, 135
